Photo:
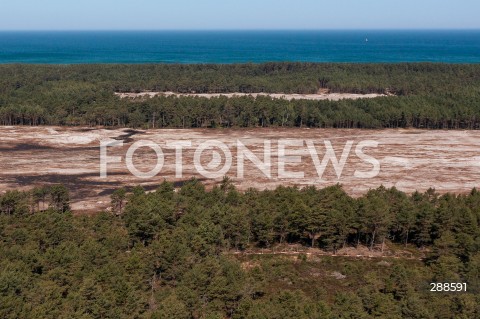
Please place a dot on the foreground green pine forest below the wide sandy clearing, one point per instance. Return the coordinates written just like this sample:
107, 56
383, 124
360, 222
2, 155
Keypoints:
180, 253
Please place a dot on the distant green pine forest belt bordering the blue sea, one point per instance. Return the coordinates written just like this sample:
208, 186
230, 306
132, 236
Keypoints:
423, 95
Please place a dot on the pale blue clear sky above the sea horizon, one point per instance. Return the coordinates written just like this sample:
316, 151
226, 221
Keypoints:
246, 14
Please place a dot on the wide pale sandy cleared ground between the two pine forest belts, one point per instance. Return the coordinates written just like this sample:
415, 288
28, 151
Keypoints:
410, 159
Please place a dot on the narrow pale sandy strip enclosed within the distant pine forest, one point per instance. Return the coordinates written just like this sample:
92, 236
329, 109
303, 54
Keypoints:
313, 97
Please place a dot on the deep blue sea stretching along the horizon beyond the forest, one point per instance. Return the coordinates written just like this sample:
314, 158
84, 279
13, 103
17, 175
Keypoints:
239, 46
